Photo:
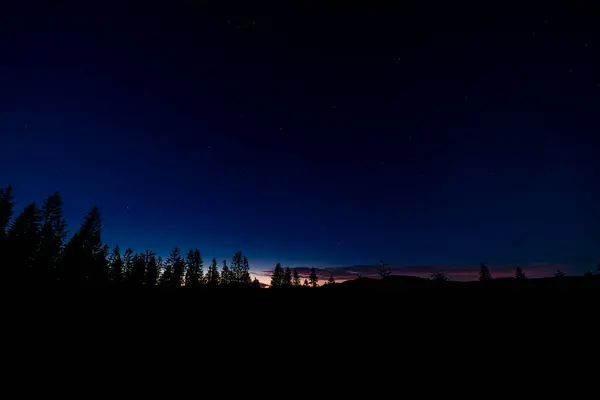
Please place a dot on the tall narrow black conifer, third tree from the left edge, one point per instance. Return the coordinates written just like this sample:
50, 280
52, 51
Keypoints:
53, 237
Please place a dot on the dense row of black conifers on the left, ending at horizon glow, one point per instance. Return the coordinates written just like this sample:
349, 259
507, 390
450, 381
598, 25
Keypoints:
34, 250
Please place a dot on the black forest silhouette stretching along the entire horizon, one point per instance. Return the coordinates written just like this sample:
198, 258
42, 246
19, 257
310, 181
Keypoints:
35, 250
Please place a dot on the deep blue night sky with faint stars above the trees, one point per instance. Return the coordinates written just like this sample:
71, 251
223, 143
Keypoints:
313, 134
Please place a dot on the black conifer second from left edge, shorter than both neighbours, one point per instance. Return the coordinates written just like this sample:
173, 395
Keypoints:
22, 240
